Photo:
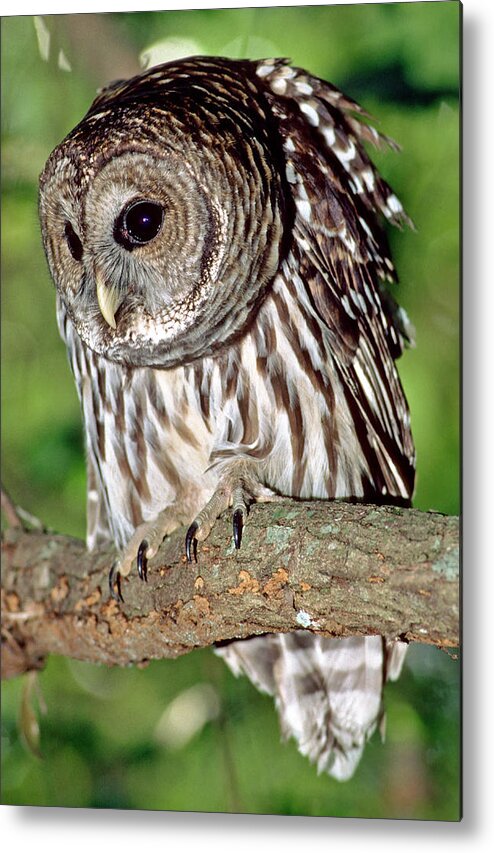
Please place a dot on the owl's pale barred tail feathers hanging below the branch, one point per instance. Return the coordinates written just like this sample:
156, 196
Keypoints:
328, 692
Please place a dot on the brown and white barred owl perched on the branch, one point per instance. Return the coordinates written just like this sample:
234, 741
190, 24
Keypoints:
214, 229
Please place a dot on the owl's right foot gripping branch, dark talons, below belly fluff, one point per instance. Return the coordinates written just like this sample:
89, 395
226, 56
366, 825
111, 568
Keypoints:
238, 488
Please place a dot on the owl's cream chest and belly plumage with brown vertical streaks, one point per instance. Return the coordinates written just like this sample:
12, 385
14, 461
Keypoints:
161, 437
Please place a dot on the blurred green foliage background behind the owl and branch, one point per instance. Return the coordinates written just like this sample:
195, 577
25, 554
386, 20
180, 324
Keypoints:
104, 739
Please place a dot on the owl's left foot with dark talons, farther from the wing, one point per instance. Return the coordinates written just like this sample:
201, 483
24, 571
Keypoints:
143, 545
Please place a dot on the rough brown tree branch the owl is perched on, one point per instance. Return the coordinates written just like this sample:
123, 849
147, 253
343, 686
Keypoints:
333, 567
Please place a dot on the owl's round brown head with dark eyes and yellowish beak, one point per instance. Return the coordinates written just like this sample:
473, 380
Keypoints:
160, 214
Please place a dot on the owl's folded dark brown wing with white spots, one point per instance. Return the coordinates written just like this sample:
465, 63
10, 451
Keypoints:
340, 253
